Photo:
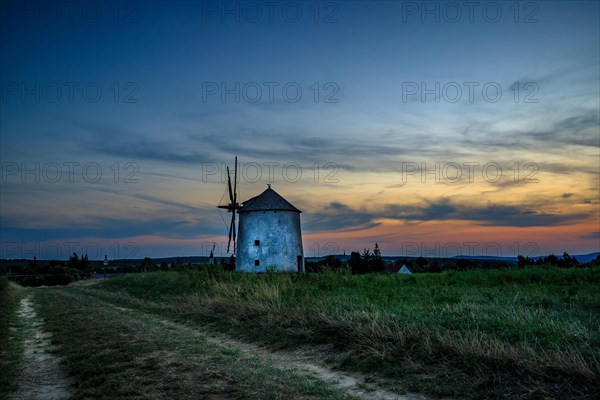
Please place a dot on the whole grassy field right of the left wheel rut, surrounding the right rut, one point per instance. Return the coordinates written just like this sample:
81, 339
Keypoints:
531, 333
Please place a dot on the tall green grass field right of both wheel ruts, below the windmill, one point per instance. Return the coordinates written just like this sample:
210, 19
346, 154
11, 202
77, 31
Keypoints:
500, 333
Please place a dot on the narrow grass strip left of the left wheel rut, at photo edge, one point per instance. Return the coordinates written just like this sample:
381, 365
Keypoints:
11, 345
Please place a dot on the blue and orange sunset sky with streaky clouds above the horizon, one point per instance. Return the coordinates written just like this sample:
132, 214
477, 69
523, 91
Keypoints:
431, 128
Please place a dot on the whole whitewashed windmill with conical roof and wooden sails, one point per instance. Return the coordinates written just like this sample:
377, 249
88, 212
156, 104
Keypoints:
269, 230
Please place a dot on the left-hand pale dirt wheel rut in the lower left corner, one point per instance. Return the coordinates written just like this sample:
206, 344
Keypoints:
42, 377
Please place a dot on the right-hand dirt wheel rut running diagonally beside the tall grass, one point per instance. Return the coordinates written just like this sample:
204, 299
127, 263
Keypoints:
353, 384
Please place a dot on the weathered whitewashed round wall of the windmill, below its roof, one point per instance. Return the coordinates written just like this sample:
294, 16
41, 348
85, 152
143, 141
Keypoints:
280, 241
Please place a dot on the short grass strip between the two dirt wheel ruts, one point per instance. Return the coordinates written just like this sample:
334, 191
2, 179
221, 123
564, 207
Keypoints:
116, 353
